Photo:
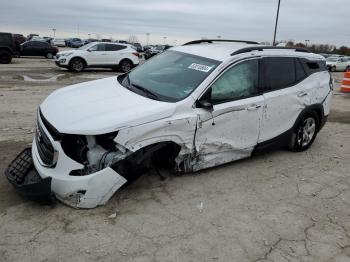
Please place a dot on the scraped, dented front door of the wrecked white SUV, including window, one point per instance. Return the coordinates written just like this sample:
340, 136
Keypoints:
231, 129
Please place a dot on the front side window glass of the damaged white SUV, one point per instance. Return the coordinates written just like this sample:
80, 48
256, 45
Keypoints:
238, 82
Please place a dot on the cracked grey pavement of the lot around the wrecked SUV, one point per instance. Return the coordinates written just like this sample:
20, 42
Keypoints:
280, 206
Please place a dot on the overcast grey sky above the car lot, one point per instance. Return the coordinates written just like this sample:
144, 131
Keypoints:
320, 21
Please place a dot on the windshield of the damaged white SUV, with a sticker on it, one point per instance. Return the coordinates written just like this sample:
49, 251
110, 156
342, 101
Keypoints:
171, 76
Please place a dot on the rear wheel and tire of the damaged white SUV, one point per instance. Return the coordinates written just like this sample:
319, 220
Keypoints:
305, 132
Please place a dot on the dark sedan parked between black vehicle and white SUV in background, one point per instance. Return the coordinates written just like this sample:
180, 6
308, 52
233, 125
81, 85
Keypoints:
38, 48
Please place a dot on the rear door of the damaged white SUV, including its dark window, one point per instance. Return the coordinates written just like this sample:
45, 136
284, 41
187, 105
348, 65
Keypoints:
285, 95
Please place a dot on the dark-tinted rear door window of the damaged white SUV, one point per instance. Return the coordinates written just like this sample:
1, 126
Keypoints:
278, 72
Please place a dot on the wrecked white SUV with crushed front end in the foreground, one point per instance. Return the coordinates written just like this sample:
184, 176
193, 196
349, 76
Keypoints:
192, 107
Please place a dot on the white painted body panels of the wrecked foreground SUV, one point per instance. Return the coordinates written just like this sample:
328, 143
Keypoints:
104, 106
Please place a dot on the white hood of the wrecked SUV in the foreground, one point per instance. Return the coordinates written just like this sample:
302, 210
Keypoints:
100, 106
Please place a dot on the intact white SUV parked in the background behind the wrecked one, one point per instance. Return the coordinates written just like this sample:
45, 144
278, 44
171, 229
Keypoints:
96, 54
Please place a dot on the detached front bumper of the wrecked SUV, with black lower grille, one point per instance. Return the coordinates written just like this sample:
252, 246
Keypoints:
87, 191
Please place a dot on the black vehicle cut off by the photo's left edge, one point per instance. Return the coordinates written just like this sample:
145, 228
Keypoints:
8, 48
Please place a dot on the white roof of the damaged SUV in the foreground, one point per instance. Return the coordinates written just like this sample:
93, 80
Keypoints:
222, 51
